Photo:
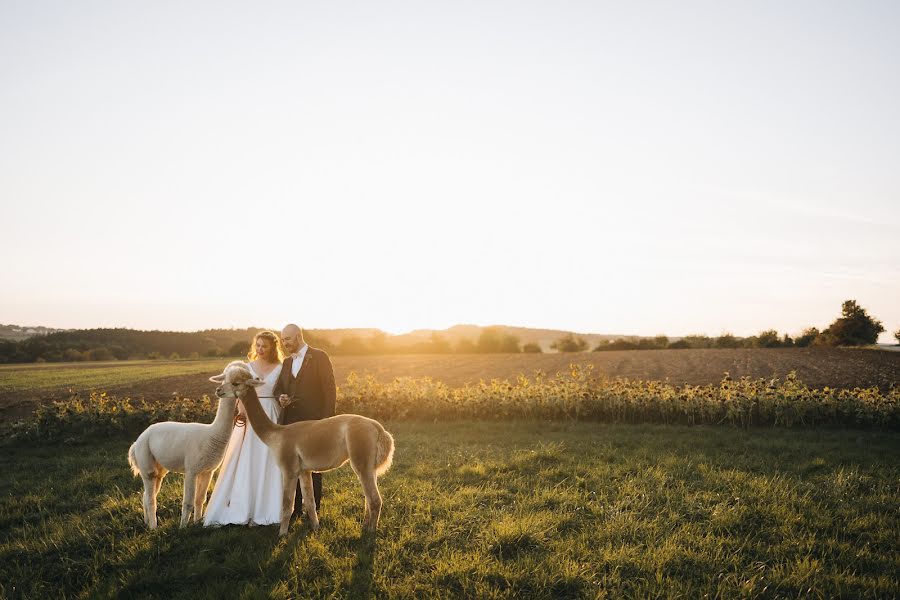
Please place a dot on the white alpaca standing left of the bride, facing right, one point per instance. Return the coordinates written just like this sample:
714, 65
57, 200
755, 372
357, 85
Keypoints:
195, 449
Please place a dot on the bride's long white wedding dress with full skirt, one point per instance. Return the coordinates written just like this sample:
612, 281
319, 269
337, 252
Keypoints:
248, 489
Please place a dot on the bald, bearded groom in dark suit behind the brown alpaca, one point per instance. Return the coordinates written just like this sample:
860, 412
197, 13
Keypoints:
305, 389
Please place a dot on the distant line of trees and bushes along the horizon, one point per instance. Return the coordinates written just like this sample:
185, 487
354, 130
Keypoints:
853, 328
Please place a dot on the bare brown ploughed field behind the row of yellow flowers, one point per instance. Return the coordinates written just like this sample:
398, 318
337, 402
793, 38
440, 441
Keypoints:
817, 367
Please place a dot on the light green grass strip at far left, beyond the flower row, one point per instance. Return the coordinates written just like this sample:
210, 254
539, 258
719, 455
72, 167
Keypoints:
55, 376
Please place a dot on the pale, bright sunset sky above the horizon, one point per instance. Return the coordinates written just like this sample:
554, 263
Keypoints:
637, 168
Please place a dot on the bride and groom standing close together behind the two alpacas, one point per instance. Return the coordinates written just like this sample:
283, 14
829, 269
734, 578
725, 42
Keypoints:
298, 385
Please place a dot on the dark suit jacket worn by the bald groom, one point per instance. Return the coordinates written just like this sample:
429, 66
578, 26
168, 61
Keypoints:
313, 390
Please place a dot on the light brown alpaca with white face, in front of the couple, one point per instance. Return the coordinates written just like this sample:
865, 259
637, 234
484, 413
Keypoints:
307, 446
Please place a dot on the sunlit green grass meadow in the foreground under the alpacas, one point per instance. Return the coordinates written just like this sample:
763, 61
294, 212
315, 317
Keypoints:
492, 510
